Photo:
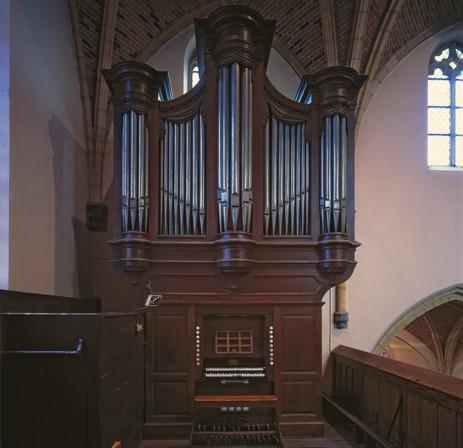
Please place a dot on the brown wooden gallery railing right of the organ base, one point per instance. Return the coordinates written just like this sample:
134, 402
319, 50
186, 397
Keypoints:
392, 404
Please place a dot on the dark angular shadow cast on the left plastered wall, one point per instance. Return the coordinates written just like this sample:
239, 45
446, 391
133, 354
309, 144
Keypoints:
72, 239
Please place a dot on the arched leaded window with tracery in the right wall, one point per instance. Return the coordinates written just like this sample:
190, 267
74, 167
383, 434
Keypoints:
445, 107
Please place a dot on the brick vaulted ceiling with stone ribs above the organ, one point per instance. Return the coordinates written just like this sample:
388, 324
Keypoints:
367, 34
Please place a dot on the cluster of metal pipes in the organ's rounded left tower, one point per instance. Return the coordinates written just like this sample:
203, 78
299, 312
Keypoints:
134, 172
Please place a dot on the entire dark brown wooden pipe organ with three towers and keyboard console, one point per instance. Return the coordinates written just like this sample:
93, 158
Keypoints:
237, 204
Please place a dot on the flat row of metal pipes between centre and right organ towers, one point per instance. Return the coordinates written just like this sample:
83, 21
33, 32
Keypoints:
287, 179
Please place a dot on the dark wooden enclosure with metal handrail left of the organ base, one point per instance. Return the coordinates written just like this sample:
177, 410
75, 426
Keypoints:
69, 377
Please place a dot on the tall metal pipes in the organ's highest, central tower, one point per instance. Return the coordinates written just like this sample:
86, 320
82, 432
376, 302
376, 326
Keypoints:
234, 168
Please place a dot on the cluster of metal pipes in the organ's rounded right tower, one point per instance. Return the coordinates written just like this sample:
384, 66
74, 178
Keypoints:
333, 179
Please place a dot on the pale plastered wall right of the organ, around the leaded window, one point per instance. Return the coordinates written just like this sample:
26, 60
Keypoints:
408, 218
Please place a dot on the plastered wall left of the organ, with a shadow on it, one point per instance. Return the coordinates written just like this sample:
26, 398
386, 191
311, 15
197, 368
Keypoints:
47, 156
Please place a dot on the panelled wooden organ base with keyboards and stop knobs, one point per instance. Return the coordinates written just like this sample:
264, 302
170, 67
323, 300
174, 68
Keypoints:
247, 365
